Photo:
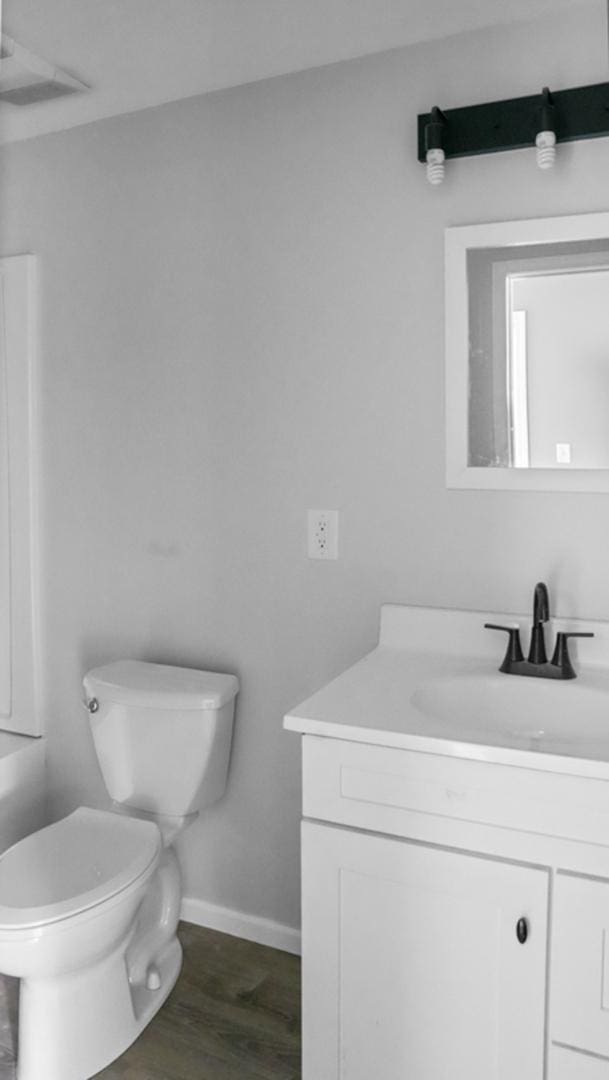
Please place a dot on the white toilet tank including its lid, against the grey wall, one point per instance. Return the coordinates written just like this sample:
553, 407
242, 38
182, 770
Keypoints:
163, 735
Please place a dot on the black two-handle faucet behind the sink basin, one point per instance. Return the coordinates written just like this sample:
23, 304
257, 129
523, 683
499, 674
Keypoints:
537, 665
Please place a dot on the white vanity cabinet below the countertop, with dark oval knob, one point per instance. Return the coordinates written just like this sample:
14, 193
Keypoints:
441, 939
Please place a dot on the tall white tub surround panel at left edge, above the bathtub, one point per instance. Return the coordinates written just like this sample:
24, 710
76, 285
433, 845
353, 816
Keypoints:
19, 526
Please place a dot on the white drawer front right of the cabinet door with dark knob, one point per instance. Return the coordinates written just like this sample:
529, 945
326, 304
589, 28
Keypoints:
580, 967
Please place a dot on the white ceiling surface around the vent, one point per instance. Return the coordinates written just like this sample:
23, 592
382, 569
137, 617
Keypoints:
138, 53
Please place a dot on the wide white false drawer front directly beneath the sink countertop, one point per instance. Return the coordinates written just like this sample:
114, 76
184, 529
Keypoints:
381, 789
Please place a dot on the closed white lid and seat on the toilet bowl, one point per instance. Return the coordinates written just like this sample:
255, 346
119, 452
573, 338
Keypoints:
73, 866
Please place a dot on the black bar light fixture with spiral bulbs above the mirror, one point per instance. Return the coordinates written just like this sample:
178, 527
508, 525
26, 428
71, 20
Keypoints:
537, 120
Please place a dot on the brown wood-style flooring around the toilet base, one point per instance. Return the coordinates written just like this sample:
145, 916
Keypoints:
235, 1015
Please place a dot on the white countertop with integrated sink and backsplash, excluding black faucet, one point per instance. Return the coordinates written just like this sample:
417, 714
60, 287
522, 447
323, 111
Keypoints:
376, 700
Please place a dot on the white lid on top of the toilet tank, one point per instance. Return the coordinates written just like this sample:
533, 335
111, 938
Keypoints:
159, 686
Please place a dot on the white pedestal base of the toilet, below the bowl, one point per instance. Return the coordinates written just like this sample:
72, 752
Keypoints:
73, 1027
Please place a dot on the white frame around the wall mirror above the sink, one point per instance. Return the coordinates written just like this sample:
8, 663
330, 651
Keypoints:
459, 240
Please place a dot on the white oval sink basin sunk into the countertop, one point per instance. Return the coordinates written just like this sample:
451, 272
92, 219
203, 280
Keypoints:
533, 713
